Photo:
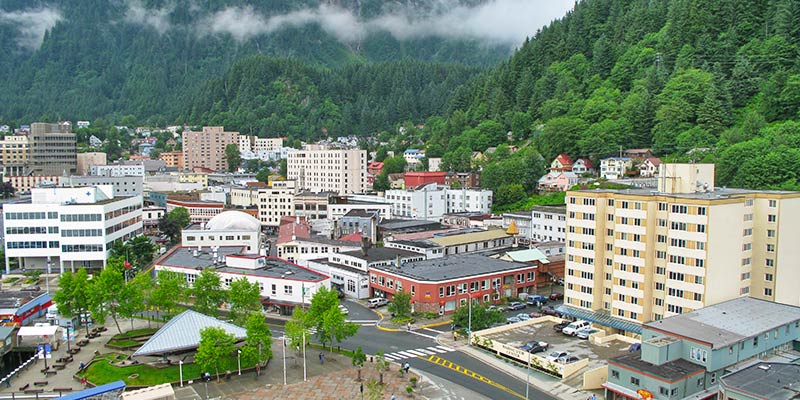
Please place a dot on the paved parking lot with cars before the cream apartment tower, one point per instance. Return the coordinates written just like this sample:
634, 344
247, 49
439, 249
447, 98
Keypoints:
544, 332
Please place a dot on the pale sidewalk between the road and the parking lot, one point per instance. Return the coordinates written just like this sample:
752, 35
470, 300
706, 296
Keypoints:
544, 382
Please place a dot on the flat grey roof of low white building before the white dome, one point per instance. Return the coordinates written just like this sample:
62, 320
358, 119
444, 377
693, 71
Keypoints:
183, 257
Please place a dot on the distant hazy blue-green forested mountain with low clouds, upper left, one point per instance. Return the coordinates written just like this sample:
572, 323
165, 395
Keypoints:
84, 59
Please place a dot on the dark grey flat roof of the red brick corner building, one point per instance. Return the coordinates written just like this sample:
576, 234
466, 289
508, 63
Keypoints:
452, 267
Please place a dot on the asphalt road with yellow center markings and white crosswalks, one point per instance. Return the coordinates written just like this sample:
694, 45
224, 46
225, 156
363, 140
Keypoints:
429, 357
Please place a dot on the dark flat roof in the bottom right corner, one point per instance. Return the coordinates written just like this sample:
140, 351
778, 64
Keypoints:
774, 381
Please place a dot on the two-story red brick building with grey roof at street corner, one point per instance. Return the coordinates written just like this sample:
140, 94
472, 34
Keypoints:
443, 284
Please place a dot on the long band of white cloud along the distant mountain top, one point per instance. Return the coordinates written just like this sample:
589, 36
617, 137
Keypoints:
500, 22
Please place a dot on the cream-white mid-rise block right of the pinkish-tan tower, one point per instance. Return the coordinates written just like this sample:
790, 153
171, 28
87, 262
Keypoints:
318, 169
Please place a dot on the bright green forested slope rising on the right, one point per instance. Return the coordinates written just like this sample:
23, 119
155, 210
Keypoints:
696, 80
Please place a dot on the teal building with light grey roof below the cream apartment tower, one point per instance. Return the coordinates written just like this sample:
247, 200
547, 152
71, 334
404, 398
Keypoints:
684, 356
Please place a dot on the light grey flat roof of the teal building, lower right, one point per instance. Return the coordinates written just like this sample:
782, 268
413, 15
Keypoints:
730, 322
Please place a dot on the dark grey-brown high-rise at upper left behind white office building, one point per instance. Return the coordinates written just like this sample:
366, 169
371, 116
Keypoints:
52, 149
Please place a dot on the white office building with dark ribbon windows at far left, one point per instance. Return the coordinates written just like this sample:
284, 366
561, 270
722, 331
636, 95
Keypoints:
74, 226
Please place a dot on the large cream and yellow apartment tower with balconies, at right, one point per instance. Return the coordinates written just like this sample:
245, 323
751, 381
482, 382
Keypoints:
635, 256
